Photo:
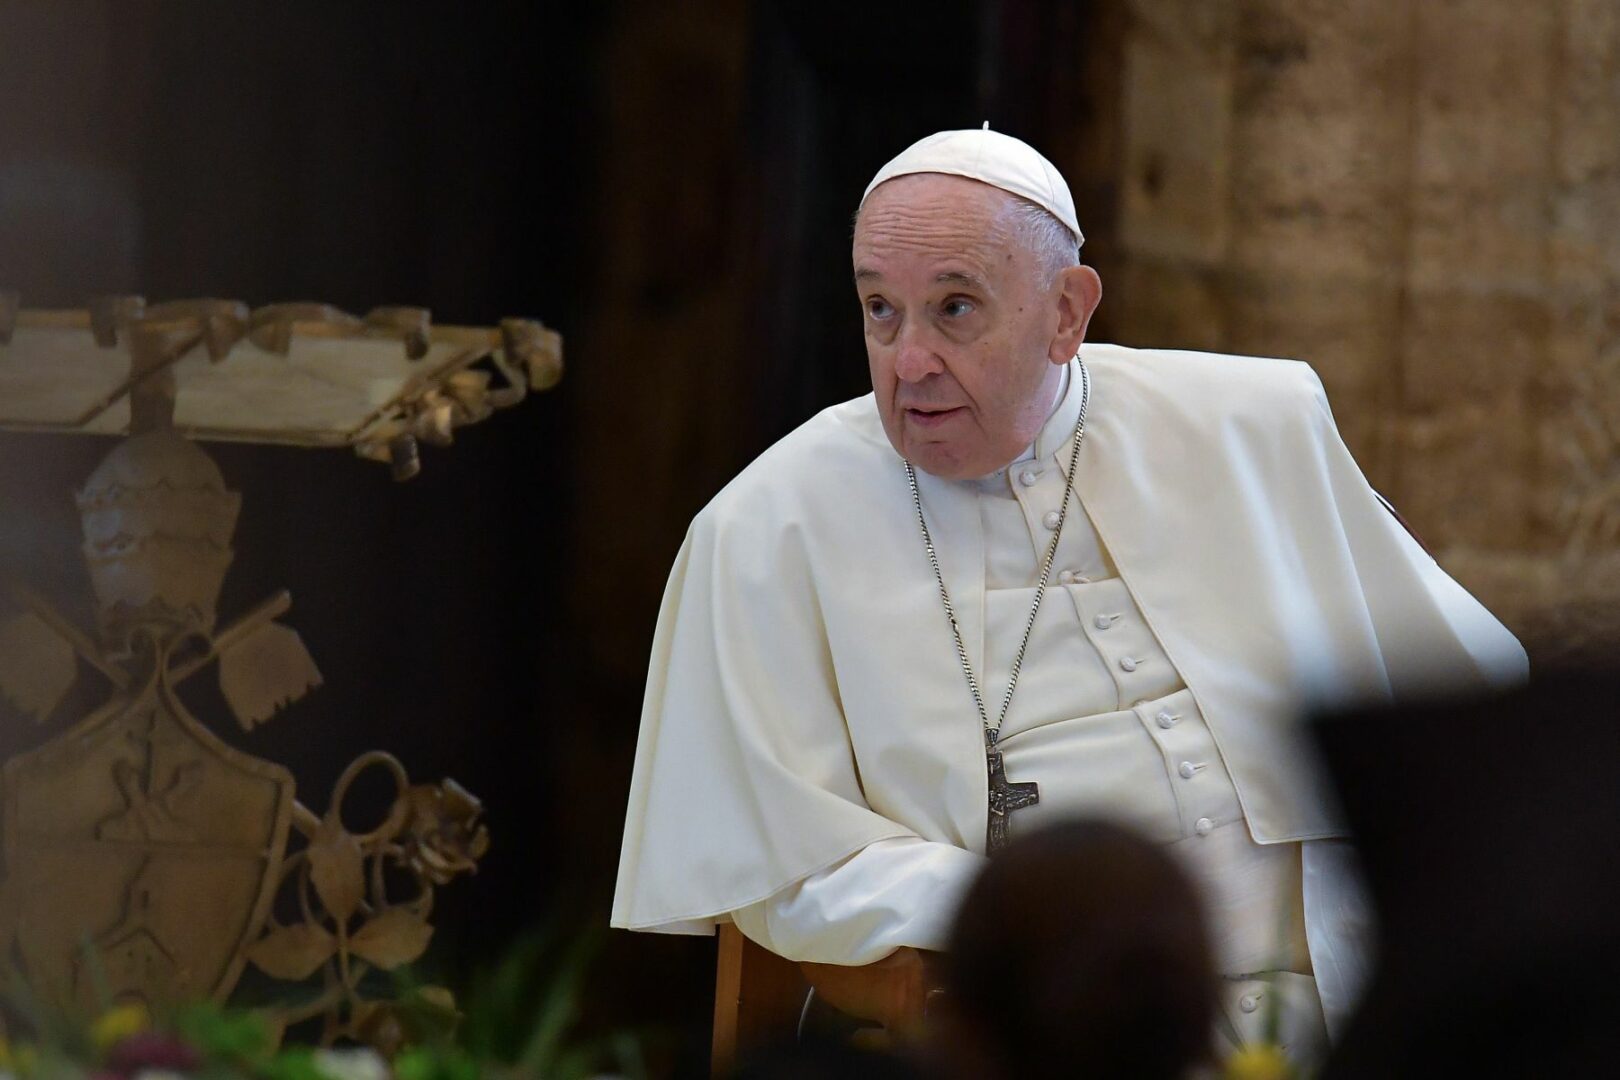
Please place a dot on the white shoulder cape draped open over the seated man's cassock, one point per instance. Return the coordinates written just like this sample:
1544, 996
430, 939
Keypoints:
804, 697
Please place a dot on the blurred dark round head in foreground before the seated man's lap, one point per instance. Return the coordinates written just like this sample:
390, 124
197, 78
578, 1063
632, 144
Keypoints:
1080, 951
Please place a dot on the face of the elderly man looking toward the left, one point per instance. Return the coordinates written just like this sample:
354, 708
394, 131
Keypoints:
963, 333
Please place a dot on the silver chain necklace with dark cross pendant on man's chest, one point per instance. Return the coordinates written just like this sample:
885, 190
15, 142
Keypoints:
1005, 797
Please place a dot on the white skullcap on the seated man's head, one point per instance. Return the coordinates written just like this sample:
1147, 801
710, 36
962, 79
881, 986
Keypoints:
991, 158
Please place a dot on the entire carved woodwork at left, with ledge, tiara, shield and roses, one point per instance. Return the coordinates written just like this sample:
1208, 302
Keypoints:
143, 857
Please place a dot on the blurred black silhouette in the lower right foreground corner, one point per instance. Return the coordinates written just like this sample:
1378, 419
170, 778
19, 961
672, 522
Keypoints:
1488, 833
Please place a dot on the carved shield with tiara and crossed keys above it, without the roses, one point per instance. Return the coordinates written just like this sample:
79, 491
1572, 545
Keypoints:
142, 853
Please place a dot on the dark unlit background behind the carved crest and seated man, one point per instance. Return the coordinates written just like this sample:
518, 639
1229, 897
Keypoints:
671, 190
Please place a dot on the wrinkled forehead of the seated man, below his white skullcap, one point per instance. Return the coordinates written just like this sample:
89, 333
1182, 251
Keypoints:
934, 213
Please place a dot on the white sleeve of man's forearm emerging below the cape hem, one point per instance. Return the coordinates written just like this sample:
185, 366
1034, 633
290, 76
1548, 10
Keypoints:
892, 893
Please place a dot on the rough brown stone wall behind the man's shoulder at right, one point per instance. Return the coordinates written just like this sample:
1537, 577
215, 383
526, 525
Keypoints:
1423, 200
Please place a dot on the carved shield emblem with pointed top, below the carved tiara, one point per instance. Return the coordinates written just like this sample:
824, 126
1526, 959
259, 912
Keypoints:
140, 856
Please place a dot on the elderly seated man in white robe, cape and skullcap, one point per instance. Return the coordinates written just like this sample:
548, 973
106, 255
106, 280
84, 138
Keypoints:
1028, 579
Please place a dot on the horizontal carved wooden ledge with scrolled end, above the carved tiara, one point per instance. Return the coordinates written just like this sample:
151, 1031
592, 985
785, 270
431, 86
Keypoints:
299, 375
